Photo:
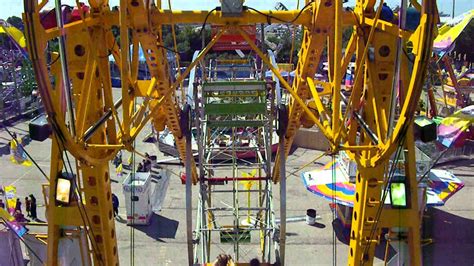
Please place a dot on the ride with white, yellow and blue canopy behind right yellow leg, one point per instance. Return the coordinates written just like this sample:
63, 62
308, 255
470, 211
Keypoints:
436, 186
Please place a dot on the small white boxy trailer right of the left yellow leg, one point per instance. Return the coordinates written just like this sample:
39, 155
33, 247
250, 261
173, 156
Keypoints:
138, 203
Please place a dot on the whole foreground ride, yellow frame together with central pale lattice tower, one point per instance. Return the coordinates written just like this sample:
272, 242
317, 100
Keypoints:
370, 123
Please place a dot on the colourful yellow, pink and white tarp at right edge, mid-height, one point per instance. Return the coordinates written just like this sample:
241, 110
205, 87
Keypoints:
454, 129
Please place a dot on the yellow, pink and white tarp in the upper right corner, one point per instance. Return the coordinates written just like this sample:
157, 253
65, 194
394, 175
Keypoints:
449, 32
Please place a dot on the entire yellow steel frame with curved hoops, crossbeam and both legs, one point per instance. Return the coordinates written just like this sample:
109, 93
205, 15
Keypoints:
90, 40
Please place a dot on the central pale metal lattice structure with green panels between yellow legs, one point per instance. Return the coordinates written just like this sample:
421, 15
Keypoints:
235, 203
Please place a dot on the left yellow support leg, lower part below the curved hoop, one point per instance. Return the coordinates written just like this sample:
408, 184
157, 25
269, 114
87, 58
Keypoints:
95, 215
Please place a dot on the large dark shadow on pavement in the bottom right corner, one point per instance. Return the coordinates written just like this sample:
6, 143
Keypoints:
453, 239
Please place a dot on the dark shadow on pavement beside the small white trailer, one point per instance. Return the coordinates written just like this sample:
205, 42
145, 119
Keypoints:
160, 227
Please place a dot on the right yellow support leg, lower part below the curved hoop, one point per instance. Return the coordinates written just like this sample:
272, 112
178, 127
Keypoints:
366, 226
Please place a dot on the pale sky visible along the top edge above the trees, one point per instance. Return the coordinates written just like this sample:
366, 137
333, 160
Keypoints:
15, 7
